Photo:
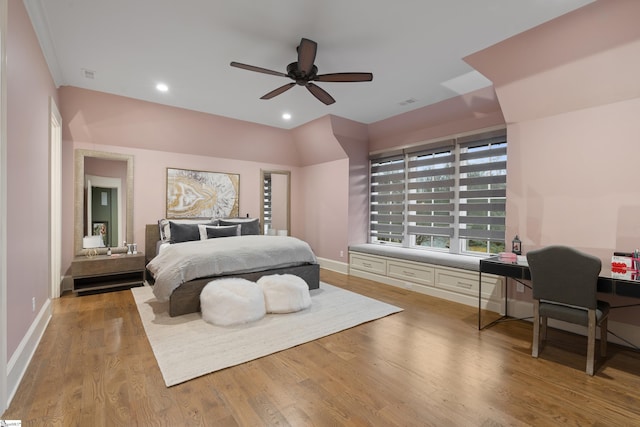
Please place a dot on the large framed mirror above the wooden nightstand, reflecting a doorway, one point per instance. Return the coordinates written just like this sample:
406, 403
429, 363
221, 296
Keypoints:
103, 201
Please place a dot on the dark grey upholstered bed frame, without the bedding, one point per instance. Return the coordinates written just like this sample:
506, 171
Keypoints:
186, 298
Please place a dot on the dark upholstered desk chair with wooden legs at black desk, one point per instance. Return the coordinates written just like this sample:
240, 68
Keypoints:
564, 283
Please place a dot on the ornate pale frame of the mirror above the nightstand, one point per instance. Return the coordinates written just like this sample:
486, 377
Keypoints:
79, 157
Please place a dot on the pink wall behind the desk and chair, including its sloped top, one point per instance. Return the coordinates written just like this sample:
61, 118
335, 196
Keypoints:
571, 96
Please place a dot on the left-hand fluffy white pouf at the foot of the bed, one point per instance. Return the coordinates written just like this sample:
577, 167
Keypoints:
233, 301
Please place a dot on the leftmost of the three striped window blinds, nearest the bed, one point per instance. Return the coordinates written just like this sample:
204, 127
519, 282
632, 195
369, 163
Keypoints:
387, 199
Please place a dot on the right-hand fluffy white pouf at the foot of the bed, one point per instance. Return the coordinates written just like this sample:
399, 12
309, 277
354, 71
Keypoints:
285, 293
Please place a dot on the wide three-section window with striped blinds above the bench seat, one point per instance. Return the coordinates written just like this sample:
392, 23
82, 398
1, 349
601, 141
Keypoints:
450, 196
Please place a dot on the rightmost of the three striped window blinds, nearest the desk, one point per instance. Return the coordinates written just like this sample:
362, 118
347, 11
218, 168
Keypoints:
483, 186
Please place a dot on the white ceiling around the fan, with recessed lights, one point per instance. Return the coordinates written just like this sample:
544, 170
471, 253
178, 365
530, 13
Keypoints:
414, 48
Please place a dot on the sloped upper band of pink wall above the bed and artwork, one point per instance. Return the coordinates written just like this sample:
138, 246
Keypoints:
107, 119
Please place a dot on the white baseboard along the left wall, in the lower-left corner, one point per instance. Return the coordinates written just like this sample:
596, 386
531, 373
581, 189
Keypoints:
21, 358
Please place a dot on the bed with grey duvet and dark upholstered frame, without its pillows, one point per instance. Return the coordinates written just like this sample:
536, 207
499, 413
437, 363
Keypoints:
182, 288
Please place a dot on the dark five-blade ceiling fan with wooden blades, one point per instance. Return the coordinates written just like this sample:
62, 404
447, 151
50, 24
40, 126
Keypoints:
304, 72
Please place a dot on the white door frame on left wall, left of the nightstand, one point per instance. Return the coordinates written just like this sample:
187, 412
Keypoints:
55, 199
